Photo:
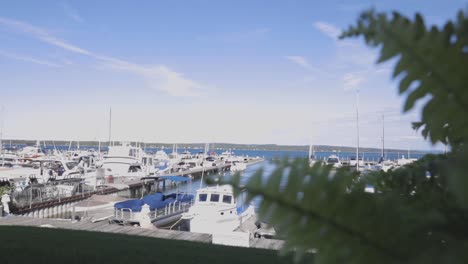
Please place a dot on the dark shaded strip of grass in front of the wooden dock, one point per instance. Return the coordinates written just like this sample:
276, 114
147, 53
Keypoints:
45, 245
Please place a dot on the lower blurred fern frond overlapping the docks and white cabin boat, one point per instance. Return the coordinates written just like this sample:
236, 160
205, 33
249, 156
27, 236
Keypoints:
412, 217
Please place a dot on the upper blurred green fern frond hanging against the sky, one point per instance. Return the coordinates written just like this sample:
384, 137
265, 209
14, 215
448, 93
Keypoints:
431, 64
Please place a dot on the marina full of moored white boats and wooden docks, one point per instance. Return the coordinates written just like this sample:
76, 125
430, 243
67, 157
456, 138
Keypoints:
155, 195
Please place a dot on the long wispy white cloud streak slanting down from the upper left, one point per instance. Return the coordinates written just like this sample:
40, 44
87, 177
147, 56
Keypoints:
158, 77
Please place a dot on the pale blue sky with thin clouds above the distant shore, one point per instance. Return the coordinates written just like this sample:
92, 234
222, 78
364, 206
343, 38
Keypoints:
200, 71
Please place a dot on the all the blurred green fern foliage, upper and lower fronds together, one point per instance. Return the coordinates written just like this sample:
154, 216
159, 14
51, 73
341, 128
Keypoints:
419, 213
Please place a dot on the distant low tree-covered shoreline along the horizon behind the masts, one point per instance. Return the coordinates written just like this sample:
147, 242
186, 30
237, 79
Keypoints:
222, 146
